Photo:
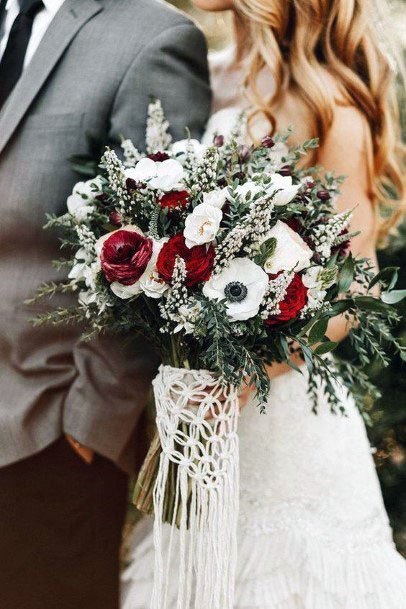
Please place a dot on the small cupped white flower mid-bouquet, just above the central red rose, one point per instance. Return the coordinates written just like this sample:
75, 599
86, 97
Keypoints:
202, 225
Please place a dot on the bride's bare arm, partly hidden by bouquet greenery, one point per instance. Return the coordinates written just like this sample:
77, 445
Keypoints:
346, 151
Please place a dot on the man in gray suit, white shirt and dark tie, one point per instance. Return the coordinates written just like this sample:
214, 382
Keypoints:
68, 410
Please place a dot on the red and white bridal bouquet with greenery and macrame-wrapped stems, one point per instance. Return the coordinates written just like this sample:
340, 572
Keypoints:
228, 257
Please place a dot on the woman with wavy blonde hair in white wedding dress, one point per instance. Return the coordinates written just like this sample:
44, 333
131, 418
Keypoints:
313, 531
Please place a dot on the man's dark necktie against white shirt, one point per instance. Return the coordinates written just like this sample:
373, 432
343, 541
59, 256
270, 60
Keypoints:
12, 63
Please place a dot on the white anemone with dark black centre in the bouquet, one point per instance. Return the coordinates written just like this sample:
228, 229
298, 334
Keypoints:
242, 284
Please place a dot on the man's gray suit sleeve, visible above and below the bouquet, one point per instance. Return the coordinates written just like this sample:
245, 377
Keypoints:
111, 389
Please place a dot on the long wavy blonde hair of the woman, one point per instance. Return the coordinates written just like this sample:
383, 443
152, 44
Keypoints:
298, 40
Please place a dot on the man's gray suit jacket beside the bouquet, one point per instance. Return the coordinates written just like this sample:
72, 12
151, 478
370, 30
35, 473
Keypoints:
94, 71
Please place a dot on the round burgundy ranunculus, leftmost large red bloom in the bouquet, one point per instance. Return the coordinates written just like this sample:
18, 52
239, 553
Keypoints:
125, 255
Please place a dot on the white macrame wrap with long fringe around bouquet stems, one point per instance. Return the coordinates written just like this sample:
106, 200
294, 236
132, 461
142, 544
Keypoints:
198, 433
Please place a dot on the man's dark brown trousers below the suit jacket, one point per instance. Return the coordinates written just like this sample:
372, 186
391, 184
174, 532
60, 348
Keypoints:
60, 531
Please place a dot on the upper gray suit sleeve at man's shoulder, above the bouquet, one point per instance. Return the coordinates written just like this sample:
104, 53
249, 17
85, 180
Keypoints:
172, 68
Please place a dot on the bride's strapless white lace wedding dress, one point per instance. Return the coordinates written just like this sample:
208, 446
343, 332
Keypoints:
313, 531
